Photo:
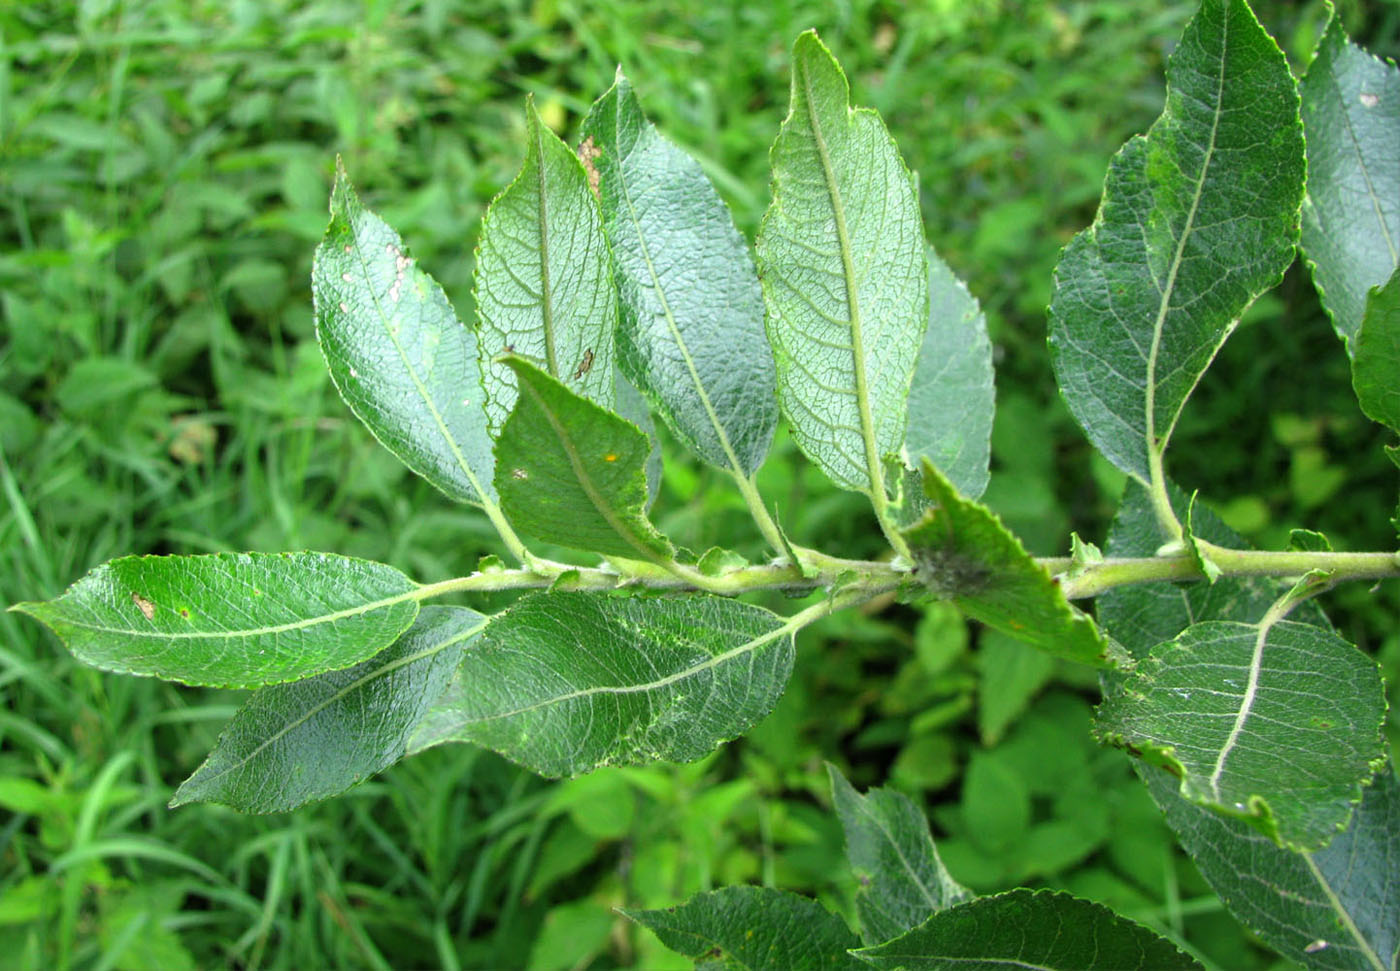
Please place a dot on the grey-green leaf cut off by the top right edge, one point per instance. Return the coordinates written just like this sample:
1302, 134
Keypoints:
1352, 218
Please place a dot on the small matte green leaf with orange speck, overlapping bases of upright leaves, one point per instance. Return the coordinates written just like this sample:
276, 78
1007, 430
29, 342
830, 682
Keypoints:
575, 474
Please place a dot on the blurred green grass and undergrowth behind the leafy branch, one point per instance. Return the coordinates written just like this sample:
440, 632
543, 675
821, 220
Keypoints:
164, 170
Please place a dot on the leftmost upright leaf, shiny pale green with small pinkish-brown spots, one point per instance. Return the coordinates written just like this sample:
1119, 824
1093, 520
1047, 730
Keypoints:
397, 352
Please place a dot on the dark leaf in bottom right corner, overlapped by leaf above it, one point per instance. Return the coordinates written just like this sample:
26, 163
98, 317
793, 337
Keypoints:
1336, 909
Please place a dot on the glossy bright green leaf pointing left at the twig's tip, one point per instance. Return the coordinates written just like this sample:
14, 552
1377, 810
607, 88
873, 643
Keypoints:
232, 619
